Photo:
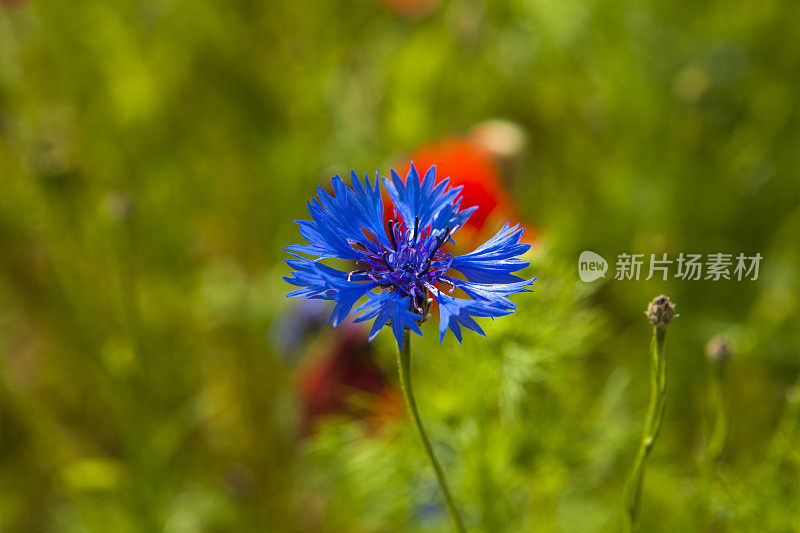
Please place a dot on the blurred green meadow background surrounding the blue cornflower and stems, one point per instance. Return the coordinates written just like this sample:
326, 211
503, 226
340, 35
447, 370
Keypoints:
153, 155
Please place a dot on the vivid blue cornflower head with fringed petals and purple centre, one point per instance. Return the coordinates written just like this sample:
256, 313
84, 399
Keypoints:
402, 267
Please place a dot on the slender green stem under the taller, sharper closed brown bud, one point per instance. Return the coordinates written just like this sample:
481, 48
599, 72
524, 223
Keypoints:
652, 425
